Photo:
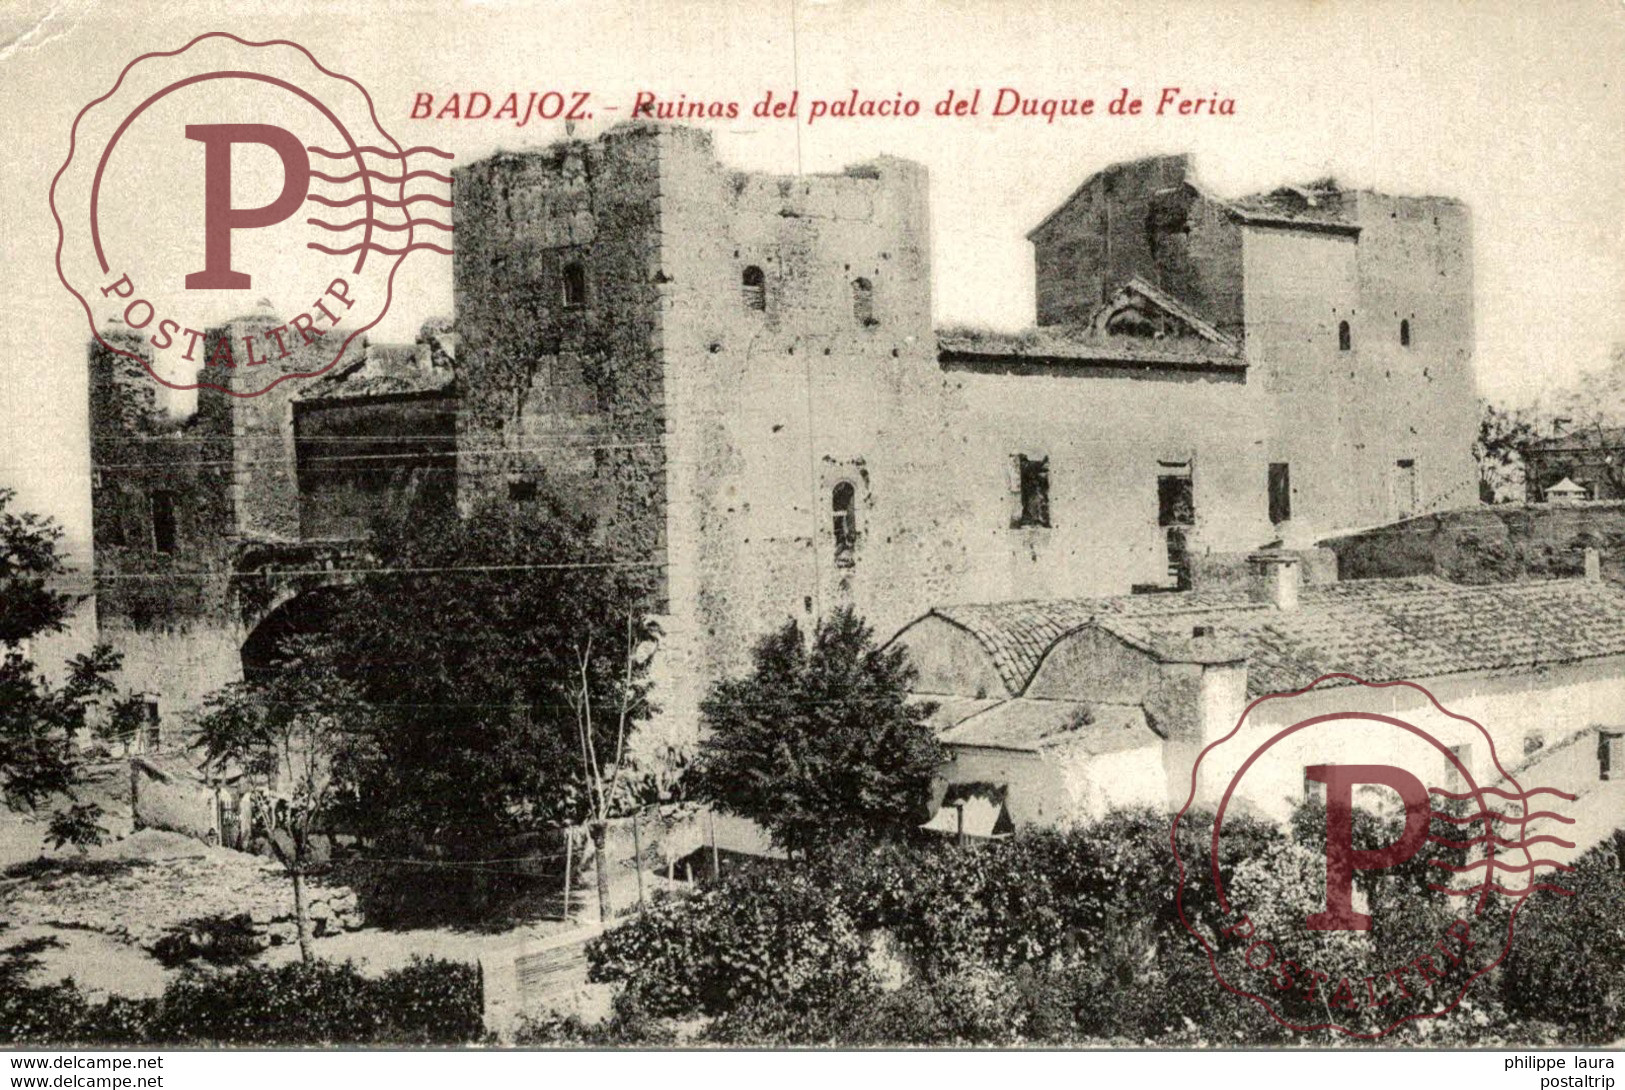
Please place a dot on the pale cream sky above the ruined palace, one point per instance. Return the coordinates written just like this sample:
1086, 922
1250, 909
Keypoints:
1512, 108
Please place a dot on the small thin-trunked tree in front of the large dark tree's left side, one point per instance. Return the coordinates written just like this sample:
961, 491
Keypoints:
295, 733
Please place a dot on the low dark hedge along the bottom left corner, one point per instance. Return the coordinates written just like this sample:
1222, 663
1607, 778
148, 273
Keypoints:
427, 1003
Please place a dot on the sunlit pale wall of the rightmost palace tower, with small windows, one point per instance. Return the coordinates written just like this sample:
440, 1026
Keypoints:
1350, 420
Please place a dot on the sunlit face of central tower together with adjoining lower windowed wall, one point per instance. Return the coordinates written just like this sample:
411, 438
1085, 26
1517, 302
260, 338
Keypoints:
779, 399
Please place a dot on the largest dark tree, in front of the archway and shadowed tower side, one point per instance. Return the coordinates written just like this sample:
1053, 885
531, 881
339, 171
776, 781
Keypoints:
506, 659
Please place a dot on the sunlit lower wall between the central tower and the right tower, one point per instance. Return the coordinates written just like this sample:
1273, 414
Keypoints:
1107, 441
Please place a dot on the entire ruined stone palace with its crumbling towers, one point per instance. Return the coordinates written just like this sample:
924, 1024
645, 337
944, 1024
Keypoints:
739, 374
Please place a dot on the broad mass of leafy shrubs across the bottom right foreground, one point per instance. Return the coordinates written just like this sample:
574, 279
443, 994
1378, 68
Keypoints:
1057, 938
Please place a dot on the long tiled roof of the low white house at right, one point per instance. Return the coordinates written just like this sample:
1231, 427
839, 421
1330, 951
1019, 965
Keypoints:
1376, 629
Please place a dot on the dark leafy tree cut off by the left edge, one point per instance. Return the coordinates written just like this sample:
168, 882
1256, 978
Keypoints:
41, 722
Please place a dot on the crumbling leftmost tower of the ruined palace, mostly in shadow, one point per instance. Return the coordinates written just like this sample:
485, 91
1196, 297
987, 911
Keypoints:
225, 475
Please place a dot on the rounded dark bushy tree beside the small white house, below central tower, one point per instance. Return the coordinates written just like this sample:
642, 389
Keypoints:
821, 740
